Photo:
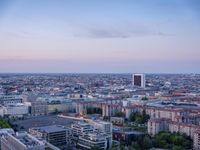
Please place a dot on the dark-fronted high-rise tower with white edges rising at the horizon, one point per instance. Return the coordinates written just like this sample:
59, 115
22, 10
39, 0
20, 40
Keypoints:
139, 80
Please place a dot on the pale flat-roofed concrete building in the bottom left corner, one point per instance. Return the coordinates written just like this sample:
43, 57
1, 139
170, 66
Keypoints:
21, 141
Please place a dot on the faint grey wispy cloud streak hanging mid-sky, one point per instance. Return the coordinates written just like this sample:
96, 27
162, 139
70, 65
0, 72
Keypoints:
123, 31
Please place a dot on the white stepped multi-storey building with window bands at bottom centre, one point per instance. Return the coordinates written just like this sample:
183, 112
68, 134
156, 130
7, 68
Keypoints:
93, 133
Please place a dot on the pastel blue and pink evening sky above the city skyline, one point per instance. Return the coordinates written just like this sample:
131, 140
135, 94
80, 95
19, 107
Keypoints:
99, 36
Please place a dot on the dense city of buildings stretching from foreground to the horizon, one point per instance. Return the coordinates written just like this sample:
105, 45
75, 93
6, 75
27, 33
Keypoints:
99, 111
